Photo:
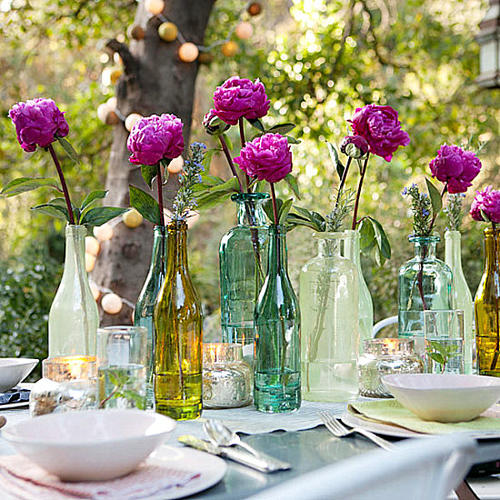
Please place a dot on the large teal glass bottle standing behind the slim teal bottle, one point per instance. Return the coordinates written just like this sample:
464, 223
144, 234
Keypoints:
242, 264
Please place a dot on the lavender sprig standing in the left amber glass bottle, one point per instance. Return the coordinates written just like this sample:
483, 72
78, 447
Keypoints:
184, 200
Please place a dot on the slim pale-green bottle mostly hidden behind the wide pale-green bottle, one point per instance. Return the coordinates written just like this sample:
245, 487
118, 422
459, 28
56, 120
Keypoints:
353, 252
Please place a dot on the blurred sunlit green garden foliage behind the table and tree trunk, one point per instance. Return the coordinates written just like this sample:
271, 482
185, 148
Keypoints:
319, 61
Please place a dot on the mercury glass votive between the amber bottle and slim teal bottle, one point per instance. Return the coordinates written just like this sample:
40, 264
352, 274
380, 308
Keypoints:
227, 378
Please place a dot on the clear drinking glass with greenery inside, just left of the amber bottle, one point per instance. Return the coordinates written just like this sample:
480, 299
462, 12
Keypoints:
121, 357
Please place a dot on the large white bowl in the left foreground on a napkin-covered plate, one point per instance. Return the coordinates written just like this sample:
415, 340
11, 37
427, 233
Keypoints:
93, 445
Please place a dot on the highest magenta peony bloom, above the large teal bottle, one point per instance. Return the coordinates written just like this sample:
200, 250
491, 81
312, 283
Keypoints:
240, 97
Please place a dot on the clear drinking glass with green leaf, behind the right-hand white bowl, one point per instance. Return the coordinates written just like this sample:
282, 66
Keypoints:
444, 341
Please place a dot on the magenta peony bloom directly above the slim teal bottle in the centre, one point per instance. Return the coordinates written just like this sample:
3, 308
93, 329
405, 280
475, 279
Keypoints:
267, 157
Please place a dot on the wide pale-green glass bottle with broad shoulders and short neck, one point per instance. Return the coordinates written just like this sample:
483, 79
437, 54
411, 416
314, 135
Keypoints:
330, 322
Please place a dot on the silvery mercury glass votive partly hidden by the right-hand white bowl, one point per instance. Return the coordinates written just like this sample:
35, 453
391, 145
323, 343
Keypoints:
385, 357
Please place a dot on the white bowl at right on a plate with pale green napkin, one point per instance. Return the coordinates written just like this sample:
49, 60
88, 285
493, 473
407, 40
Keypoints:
444, 397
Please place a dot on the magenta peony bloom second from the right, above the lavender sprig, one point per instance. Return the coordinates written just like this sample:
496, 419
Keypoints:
456, 167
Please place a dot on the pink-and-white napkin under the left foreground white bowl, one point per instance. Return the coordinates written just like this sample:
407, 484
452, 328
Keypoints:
24, 479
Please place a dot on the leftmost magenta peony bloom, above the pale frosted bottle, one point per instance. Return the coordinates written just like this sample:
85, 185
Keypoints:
38, 122
